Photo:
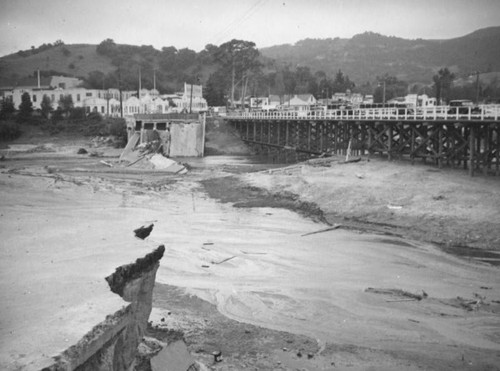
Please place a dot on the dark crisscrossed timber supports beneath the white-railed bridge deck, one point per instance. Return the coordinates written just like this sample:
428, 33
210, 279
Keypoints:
473, 145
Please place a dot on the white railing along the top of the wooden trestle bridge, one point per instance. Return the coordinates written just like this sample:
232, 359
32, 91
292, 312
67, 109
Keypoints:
435, 113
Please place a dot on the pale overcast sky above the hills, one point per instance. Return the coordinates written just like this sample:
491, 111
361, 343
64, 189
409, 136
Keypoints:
196, 23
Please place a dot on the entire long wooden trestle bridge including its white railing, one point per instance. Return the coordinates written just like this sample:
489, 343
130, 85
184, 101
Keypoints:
465, 137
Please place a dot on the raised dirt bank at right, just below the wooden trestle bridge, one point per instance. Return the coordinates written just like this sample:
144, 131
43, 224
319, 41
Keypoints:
444, 207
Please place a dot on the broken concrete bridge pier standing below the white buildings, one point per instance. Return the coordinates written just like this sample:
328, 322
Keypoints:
187, 132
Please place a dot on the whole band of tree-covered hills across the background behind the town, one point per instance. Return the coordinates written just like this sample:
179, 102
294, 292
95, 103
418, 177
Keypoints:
236, 68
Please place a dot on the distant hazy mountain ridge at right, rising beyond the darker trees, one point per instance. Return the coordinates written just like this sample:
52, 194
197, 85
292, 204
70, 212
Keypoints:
367, 55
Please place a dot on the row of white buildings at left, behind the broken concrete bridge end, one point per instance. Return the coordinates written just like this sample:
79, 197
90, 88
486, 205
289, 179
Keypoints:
108, 102
